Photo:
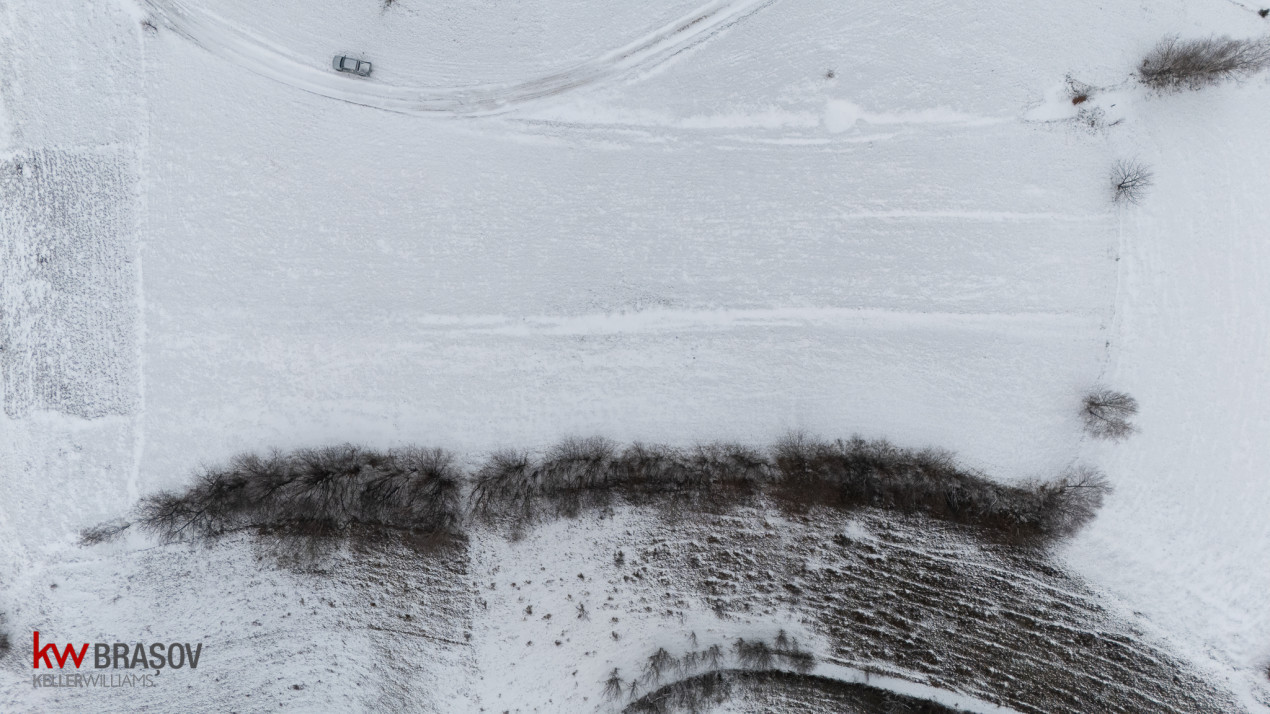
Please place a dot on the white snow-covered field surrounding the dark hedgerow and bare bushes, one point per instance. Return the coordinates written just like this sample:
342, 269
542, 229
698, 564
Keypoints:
665, 222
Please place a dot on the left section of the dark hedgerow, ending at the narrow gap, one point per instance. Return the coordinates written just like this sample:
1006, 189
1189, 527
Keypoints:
314, 492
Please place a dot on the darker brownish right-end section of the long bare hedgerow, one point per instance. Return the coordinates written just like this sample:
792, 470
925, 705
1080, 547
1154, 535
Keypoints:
876, 473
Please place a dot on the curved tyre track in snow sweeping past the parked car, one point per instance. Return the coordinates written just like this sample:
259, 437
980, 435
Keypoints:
241, 48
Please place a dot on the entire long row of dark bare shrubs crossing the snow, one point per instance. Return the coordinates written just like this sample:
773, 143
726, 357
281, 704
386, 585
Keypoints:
323, 492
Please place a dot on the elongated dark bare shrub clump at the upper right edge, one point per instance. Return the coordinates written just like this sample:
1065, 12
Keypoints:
1177, 64
